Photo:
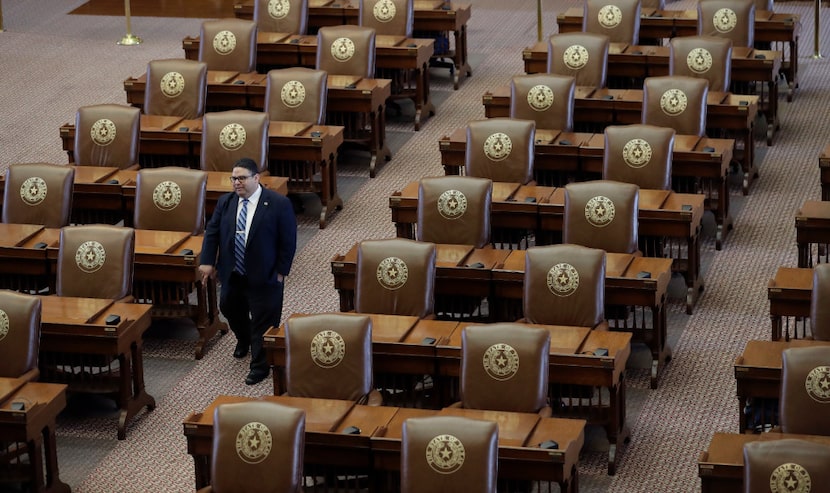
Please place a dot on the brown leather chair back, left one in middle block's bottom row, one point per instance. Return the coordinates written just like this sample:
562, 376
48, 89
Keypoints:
257, 446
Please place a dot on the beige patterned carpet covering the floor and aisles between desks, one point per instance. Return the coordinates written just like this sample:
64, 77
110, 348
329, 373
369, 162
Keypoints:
52, 62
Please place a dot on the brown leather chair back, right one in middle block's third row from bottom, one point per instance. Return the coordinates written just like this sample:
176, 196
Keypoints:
564, 285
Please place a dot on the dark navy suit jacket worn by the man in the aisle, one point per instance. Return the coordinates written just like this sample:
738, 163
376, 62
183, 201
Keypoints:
272, 239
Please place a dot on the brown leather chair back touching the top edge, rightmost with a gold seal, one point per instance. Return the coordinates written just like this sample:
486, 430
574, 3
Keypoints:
733, 19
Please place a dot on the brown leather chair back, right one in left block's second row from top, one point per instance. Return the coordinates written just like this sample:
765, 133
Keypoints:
346, 50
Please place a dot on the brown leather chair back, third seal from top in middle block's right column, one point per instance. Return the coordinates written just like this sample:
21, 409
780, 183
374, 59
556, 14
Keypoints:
676, 101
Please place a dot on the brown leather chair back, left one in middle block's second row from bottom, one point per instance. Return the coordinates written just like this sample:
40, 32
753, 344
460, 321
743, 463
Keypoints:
329, 356
